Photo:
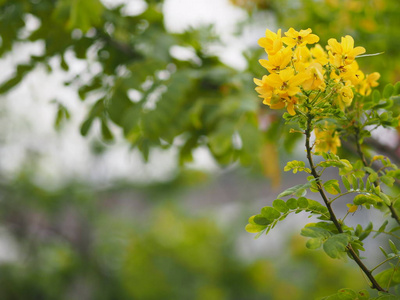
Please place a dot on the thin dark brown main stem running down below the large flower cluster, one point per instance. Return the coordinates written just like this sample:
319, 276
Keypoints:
333, 218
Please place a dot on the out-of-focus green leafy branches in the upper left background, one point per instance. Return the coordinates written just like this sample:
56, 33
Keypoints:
201, 102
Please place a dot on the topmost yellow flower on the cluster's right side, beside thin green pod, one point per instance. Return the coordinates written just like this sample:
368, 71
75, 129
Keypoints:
343, 53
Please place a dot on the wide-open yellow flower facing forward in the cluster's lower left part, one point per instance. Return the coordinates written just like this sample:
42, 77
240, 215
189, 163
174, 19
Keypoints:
286, 82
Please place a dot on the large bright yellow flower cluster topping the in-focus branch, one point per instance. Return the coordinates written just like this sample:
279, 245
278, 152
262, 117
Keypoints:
296, 71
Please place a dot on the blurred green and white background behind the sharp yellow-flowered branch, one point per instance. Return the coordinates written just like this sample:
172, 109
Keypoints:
133, 148
